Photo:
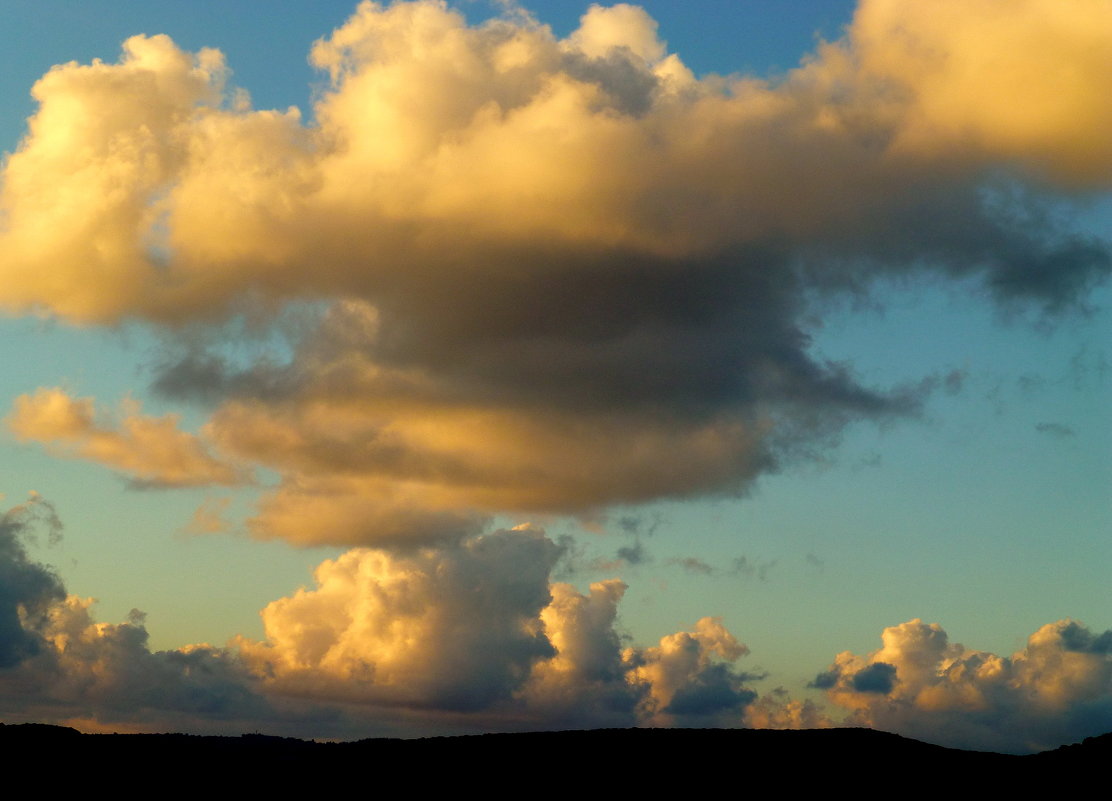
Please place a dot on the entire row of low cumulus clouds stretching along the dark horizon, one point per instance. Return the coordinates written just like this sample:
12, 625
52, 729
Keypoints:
473, 636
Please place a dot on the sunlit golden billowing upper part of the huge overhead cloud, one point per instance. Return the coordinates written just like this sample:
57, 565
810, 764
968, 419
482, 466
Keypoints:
448, 160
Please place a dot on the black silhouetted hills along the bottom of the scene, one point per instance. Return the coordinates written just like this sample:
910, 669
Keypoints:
693, 760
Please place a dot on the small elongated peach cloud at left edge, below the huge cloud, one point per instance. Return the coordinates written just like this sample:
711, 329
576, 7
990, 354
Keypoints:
151, 451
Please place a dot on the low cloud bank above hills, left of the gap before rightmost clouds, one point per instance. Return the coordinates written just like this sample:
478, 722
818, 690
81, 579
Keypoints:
468, 637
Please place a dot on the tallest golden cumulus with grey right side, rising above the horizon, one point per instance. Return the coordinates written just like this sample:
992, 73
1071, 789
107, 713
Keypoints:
456, 628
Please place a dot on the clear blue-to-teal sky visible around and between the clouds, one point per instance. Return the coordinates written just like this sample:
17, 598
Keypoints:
988, 513
